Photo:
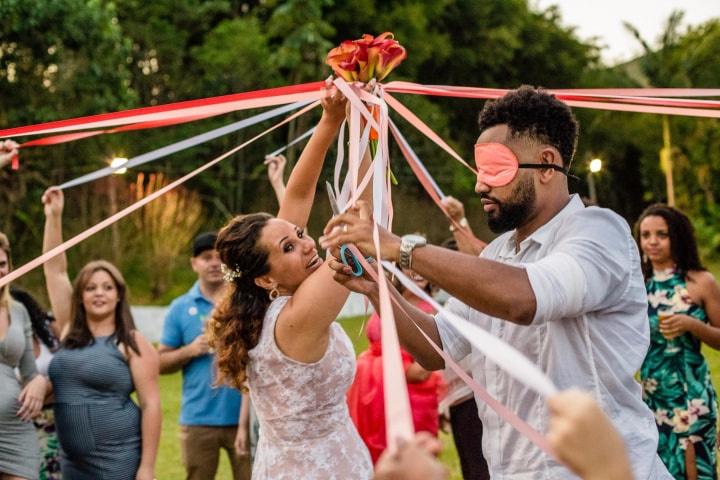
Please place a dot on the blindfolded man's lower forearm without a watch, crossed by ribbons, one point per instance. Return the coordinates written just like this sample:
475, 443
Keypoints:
406, 317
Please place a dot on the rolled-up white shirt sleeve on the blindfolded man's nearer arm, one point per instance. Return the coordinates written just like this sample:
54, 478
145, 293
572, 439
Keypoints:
588, 270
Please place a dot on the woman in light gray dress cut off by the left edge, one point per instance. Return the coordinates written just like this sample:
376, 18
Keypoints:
20, 400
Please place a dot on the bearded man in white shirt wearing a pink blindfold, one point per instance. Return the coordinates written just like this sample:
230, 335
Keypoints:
562, 284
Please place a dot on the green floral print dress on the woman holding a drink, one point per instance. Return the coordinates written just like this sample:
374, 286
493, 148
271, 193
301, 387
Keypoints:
676, 382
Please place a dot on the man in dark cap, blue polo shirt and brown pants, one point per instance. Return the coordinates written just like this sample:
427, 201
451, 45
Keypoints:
209, 415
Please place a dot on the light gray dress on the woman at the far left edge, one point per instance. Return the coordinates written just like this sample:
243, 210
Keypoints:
19, 451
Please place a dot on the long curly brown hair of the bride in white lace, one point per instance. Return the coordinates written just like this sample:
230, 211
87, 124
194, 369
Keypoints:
236, 322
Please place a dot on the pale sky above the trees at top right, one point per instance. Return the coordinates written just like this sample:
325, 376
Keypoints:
604, 19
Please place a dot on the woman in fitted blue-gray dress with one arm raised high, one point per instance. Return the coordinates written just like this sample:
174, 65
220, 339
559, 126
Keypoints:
103, 359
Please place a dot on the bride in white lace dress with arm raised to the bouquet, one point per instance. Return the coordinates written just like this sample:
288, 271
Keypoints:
275, 330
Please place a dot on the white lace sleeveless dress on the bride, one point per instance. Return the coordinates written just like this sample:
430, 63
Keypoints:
305, 429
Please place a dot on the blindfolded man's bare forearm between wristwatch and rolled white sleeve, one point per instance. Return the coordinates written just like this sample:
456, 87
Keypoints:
494, 288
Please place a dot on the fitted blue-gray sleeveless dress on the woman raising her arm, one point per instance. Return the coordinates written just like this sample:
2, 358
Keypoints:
98, 425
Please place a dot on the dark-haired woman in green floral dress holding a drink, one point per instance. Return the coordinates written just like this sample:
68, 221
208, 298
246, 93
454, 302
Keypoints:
684, 312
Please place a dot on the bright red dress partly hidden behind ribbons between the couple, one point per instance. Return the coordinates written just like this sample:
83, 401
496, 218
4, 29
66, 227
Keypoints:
366, 395
